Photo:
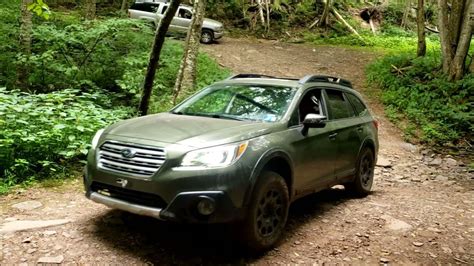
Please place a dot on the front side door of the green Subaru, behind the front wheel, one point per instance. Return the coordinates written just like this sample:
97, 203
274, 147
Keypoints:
314, 150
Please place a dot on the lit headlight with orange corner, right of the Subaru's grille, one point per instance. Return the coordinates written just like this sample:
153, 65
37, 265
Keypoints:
215, 157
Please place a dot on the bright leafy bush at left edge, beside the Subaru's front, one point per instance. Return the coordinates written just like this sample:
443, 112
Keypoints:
39, 133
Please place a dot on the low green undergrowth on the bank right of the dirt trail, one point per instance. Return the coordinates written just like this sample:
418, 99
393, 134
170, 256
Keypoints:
415, 92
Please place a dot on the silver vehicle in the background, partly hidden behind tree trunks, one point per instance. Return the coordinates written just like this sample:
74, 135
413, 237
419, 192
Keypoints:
153, 11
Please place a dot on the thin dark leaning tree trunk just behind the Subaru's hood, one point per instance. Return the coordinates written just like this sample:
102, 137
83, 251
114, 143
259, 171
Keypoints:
155, 55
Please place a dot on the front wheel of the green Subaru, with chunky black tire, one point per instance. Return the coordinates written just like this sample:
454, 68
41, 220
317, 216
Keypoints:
267, 213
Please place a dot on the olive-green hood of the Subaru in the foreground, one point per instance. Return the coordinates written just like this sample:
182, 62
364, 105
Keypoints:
186, 130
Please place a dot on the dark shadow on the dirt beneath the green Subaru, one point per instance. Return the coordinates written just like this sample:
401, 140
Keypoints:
154, 241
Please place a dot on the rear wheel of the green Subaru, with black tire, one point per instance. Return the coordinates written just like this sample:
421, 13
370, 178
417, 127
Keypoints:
364, 175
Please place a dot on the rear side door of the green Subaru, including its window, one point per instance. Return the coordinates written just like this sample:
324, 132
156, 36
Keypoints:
346, 134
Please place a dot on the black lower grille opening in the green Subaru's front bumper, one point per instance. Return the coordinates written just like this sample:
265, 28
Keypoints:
132, 196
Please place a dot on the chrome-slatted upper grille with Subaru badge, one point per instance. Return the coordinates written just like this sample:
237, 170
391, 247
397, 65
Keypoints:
138, 160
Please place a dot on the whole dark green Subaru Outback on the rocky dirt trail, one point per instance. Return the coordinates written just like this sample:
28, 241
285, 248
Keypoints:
240, 150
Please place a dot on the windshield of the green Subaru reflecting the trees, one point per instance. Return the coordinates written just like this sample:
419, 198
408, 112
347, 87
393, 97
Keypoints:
240, 102
